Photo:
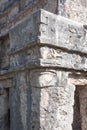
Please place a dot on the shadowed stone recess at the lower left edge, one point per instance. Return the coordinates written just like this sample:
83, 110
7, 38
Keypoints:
4, 109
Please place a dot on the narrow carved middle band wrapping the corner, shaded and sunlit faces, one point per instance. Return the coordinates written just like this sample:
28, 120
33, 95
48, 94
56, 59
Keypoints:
49, 56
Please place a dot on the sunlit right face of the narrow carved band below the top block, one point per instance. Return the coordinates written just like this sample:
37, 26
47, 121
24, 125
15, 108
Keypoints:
60, 58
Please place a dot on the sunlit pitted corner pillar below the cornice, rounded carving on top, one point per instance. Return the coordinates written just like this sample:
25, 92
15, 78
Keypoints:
51, 107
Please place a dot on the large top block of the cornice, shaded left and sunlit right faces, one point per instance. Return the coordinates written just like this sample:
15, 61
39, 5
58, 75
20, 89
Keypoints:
49, 29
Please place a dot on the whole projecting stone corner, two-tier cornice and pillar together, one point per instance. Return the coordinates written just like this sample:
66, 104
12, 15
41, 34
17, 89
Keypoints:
44, 49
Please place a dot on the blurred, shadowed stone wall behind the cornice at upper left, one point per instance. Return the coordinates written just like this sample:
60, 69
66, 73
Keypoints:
14, 11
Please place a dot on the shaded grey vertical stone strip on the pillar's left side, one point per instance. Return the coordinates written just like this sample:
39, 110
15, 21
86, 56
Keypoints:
18, 102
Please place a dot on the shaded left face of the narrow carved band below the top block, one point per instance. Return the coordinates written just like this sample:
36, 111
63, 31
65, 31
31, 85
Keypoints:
26, 55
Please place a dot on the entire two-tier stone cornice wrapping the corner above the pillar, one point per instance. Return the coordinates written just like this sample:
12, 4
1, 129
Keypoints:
47, 40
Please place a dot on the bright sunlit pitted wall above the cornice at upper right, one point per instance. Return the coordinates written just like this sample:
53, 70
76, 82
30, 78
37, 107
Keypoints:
76, 10
